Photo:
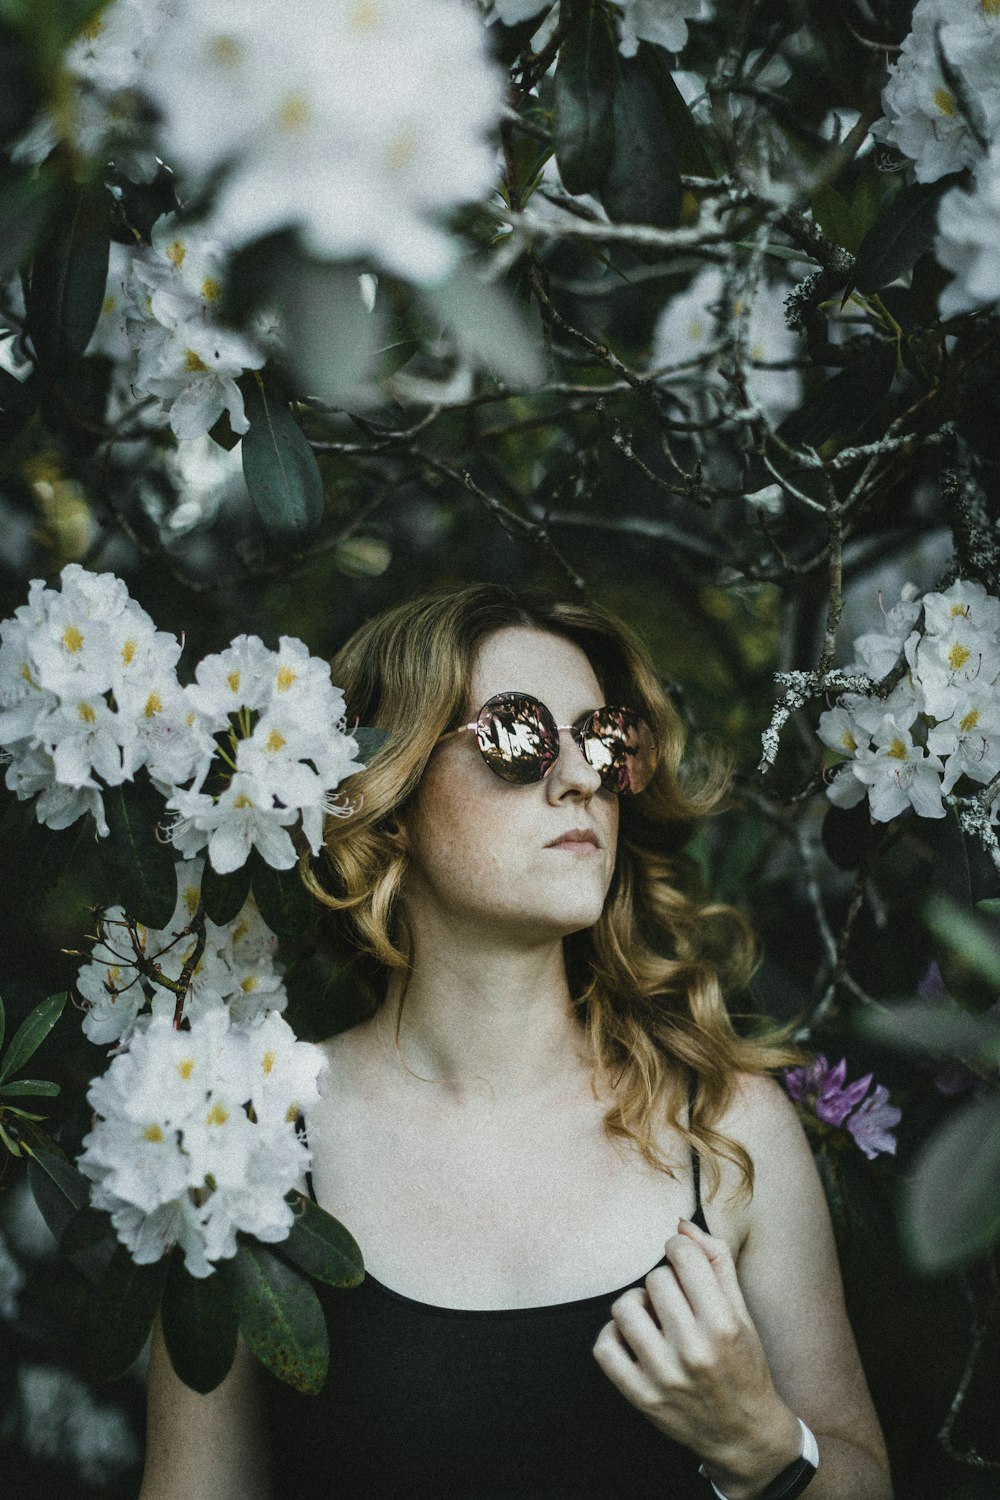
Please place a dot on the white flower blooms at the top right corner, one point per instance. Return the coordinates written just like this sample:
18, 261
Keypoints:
944, 131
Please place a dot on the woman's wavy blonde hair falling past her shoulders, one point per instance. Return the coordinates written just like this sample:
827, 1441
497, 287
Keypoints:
650, 979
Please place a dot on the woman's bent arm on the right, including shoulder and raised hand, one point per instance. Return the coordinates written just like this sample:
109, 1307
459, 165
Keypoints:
726, 1358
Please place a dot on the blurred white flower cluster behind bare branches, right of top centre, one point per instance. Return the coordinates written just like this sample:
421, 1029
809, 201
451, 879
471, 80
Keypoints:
695, 325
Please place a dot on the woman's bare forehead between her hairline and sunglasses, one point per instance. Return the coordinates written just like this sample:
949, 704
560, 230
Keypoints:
528, 661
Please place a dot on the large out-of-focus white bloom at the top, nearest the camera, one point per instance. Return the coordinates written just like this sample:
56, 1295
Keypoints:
332, 121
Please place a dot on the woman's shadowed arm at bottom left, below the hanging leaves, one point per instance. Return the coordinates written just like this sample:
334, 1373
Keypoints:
205, 1448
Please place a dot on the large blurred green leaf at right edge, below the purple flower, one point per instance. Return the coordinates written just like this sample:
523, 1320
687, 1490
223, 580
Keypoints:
951, 1204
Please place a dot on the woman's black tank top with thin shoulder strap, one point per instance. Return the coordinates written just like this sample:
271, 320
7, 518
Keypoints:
470, 1405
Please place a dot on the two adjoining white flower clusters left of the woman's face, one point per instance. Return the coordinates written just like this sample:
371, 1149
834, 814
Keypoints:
89, 697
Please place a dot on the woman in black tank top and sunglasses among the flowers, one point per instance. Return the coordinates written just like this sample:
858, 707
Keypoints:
548, 1100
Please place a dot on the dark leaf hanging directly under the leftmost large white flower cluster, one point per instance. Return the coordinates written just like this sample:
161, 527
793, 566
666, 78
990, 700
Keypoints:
139, 865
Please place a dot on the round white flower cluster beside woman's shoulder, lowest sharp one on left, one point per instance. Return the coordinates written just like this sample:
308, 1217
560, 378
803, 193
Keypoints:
196, 1138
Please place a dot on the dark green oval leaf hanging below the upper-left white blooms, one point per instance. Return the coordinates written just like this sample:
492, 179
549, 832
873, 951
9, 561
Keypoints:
280, 467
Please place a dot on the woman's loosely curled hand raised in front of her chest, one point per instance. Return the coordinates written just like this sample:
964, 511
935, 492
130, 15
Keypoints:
687, 1355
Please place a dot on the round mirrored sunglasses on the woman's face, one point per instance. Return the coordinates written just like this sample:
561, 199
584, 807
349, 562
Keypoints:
519, 740
